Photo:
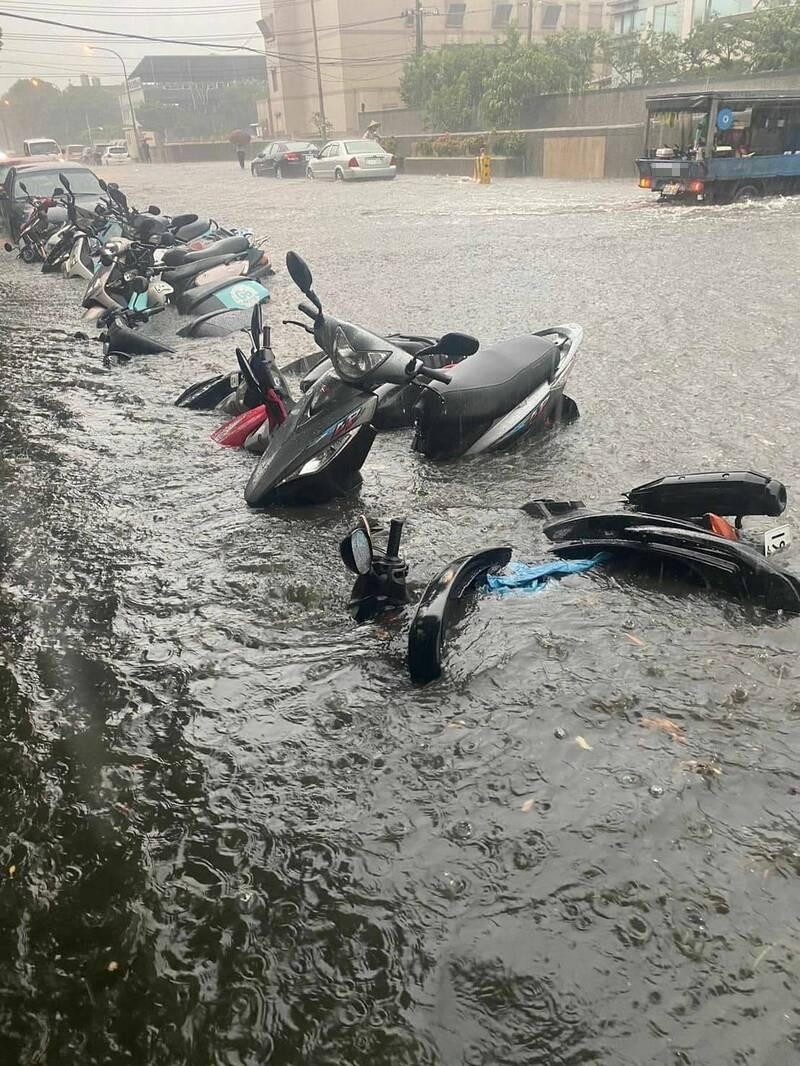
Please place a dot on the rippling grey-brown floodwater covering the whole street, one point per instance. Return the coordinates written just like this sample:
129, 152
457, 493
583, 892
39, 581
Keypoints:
234, 834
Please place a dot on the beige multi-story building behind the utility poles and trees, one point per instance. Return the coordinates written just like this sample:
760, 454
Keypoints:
362, 50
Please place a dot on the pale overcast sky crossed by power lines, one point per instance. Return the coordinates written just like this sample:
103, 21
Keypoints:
57, 55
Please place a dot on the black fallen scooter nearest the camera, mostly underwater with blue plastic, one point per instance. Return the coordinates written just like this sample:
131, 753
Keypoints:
687, 541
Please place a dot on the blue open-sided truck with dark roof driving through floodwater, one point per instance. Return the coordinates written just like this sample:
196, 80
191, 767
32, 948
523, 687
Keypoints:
722, 147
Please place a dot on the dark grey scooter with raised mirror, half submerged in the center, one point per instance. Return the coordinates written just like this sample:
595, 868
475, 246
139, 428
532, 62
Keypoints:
489, 400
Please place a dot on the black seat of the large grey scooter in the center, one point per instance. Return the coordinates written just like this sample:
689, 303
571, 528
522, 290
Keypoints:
493, 381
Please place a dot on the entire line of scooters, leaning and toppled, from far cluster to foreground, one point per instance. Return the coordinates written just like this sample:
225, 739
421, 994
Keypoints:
460, 399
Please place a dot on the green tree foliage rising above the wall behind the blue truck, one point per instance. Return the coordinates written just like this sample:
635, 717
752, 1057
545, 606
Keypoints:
474, 87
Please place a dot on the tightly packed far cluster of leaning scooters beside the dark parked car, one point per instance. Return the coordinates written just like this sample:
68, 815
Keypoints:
138, 263
